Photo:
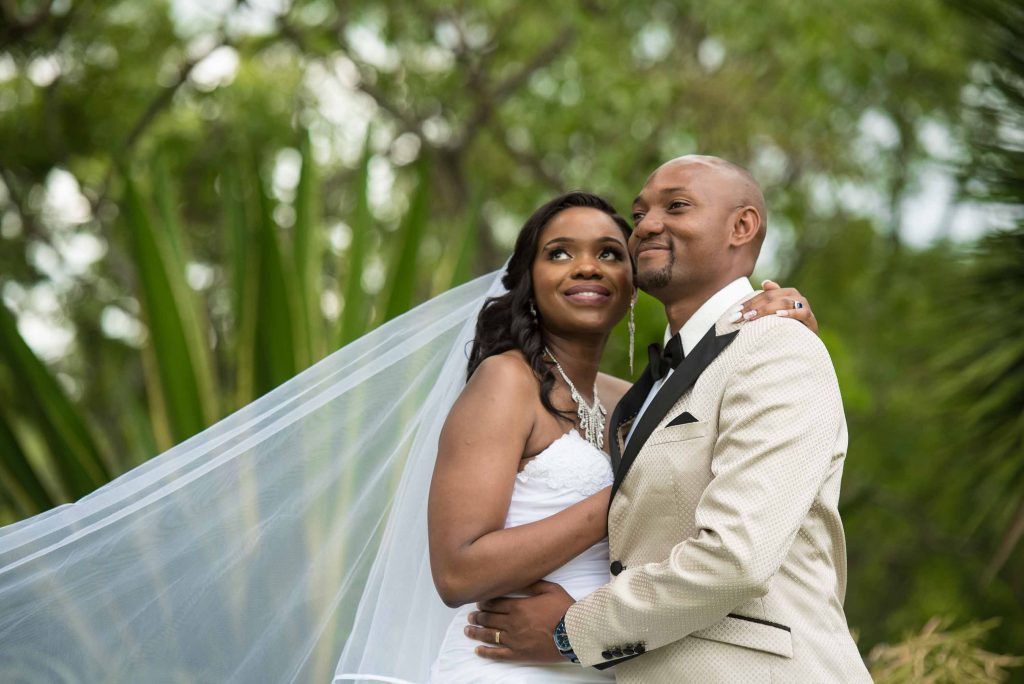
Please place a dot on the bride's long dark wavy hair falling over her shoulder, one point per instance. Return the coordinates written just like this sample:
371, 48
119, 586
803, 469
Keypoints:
506, 322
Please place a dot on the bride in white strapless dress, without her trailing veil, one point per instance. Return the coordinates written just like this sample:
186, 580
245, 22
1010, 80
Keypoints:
524, 441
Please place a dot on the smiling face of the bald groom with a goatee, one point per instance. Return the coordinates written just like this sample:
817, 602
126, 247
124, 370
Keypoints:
681, 240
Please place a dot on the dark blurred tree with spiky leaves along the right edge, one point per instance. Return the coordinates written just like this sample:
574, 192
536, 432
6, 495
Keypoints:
990, 359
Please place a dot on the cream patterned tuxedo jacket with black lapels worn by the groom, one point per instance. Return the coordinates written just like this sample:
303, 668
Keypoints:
729, 554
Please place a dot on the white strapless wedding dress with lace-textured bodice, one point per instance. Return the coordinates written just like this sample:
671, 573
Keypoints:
568, 472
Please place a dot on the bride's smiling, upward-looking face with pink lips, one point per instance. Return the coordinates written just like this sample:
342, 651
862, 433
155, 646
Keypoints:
583, 277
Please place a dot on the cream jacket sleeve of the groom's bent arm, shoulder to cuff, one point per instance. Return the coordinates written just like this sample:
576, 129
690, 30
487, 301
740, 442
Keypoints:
782, 433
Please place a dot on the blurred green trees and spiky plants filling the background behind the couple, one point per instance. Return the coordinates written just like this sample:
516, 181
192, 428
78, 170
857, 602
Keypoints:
219, 232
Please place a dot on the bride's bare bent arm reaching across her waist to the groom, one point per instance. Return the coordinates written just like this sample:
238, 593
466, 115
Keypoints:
473, 558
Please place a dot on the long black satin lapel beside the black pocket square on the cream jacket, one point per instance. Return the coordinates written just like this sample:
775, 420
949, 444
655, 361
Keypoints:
682, 379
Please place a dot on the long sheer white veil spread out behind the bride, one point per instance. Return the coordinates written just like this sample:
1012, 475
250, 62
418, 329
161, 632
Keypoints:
249, 553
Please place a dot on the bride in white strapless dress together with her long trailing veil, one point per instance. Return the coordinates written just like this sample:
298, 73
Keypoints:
294, 530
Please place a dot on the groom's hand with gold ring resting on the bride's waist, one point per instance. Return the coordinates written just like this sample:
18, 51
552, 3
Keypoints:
521, 630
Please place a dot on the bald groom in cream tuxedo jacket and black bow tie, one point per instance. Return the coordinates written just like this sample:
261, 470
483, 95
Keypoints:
729, 557
